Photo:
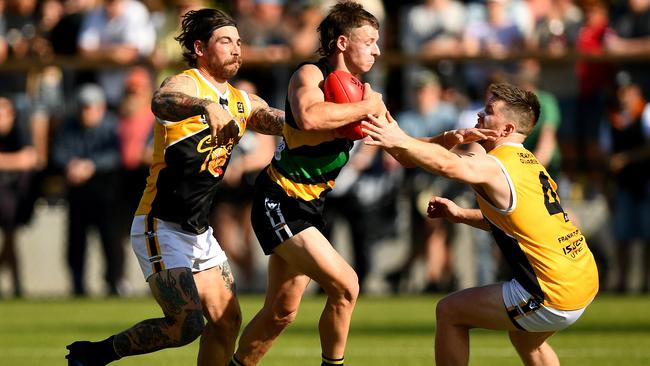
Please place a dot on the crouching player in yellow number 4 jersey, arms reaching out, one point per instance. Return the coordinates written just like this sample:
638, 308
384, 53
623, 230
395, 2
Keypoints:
555, 275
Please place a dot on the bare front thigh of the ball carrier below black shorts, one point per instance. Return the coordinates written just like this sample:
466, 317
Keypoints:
309, 252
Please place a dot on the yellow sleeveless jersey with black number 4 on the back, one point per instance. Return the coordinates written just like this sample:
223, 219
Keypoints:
547, 252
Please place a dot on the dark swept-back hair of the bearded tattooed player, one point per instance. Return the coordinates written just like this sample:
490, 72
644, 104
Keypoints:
199, 25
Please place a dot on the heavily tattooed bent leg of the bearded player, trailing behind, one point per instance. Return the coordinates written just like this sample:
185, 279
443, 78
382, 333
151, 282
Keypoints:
177, 295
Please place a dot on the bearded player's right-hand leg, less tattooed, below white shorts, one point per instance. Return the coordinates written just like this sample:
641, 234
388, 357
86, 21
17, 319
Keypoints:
217, 290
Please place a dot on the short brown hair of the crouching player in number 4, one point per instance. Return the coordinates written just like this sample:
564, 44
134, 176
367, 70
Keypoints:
521, 106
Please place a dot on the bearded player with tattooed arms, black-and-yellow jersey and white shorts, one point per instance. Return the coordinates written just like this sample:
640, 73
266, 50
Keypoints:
200, 117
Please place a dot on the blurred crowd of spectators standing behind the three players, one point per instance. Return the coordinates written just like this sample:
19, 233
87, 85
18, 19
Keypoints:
76, 79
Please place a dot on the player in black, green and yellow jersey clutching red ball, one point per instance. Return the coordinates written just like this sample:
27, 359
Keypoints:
290, 192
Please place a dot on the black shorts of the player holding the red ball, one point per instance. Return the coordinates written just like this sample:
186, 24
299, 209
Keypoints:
277, 217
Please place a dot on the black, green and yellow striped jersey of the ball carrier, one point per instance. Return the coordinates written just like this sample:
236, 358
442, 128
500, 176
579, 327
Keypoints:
306, 163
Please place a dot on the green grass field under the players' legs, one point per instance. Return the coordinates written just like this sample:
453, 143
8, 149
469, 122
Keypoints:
385, 331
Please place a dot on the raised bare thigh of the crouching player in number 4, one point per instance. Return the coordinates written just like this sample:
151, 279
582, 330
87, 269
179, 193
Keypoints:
477, 307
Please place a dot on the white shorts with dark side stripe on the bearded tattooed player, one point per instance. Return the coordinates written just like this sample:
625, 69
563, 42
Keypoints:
161, 245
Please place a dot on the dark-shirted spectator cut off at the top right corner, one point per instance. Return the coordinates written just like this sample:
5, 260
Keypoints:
632, 38
